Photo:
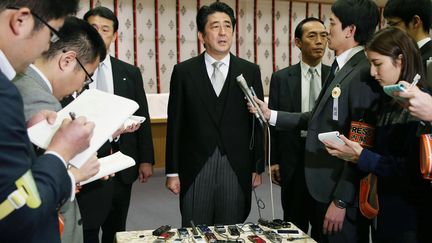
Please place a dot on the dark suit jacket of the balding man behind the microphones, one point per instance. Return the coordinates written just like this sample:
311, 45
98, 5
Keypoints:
285, 95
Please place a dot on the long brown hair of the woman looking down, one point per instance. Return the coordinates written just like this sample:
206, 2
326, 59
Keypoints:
393, 42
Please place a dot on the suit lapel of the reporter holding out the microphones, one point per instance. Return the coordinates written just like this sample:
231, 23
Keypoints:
338, 80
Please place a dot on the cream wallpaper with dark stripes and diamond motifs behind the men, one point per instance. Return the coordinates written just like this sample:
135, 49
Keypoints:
156, 34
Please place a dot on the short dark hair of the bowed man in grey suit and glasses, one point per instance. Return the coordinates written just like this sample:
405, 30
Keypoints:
79, 36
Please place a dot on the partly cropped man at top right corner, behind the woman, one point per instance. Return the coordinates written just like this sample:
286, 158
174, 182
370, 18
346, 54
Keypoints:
415, 17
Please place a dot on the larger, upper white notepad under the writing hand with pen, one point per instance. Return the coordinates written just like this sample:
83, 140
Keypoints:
107, 111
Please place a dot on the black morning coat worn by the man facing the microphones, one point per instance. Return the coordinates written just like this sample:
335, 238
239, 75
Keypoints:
194, 130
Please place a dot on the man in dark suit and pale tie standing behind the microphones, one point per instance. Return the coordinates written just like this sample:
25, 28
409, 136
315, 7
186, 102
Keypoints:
295, 89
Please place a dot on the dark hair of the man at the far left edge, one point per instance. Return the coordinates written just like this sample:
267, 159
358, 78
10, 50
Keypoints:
46, 9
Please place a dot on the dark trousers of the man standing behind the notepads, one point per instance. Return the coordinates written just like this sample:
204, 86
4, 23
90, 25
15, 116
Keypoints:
116, 218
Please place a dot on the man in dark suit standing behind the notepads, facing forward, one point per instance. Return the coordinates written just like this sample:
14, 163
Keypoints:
123, 79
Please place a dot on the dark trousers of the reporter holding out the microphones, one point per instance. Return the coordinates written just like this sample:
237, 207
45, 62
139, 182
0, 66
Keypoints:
355, 227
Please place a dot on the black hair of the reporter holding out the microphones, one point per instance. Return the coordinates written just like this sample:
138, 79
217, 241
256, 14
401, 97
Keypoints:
363, 14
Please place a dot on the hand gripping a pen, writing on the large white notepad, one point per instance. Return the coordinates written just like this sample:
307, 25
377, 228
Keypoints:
72, 137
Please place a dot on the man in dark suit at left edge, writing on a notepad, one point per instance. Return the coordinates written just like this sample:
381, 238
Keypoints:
25, 27
